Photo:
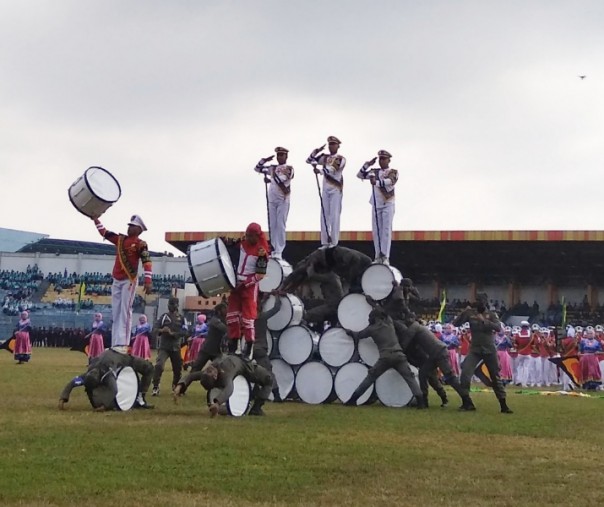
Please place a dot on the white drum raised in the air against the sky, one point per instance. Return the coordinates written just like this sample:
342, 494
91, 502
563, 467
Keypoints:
94, 192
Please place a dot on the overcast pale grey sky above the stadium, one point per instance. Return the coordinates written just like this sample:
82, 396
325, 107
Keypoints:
479, 102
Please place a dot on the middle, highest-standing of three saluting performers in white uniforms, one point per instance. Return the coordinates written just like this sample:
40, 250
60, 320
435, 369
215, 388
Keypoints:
333, 184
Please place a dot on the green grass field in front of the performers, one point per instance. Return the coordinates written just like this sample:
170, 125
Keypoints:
549, 452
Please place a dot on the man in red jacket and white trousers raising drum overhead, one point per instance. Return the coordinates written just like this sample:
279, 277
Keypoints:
130, 249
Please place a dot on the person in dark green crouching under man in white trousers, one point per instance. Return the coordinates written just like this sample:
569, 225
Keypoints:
99, 380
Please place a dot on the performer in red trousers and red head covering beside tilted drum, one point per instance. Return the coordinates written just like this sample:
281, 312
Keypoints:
242, 308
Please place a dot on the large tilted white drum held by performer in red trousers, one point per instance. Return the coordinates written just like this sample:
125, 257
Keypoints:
211, 267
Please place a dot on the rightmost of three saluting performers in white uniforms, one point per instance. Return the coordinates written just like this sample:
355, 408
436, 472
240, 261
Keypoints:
383, 180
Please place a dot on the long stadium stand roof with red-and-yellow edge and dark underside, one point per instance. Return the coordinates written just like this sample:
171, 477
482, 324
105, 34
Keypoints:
538, 257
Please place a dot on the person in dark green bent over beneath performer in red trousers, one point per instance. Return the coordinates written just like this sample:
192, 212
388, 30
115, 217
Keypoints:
220, 374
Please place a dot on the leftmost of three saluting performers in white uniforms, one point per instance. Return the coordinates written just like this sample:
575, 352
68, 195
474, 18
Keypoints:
280, 176
